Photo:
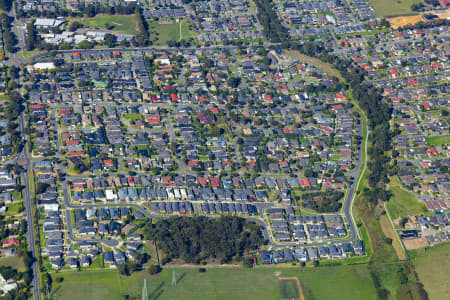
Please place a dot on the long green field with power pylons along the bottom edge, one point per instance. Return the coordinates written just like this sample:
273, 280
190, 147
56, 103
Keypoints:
344, 282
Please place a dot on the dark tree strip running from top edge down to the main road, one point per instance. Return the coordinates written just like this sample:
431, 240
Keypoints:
272, 25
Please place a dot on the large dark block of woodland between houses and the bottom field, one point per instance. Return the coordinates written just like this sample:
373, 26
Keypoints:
198, 239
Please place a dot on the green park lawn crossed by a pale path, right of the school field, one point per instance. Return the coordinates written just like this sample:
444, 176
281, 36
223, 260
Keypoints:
161, 33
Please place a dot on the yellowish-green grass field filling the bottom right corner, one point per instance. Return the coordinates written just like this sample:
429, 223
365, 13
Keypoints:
433, 268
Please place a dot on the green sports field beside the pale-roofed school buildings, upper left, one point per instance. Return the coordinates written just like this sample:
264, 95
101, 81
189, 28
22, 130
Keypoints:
117, 23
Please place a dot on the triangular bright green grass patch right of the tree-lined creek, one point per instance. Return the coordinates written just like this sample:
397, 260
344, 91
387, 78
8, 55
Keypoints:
403, 202
